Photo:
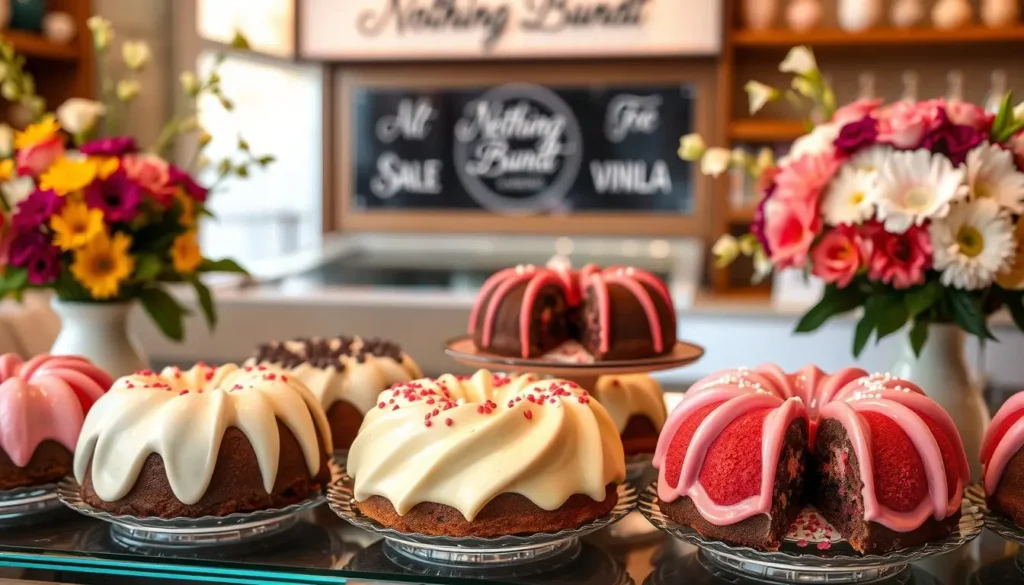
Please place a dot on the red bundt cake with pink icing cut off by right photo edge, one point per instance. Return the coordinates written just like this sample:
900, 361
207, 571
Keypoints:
1003, 461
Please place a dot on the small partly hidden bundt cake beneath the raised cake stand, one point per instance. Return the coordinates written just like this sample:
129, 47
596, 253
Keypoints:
636, 405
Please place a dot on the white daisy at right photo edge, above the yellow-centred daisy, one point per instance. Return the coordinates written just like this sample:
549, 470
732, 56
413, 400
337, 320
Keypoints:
992, 174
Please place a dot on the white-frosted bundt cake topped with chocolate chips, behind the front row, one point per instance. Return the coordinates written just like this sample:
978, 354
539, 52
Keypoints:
345, 373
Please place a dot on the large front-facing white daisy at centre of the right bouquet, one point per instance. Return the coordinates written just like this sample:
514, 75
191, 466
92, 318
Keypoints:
915, 187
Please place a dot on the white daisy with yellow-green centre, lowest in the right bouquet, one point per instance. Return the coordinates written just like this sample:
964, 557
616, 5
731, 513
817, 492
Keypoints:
973, 244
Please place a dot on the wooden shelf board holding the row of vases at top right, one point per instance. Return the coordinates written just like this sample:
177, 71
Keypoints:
875, 37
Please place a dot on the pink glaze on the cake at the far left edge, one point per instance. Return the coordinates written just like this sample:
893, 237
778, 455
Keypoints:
46, 399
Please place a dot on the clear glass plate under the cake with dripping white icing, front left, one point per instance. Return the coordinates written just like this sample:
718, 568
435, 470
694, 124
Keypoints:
141, 533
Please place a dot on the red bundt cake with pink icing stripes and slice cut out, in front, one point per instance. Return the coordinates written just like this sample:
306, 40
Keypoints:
747, 449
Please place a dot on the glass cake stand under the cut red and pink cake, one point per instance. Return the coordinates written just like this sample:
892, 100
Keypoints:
814, 553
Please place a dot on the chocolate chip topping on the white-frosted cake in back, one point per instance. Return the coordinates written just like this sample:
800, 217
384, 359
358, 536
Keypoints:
324, 353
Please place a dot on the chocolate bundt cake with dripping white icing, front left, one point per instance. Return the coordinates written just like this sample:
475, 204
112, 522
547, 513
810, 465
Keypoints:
210, 441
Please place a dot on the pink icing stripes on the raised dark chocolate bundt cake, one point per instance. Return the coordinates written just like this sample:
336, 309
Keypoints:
573, 283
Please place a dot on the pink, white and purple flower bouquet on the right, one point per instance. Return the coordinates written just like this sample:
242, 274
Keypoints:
910, 211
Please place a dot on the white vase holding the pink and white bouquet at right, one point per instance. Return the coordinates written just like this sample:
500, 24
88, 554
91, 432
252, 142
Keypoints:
943, 371
